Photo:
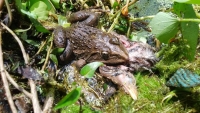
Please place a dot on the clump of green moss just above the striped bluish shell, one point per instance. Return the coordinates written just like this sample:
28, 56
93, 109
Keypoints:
172, 58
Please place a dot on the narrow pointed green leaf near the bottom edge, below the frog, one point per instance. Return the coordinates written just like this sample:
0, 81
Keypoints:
69, 99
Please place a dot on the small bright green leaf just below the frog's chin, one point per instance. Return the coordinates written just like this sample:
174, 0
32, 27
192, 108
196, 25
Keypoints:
89, 69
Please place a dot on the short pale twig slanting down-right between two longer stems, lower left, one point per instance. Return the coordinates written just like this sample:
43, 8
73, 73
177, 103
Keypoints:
17, 86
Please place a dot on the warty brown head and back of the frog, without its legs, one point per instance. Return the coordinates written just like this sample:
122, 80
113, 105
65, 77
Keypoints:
92, 44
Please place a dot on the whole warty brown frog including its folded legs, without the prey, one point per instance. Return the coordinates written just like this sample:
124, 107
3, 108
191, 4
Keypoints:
89, 43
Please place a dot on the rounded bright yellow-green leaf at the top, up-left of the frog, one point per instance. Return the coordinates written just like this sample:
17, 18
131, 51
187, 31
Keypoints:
40, 10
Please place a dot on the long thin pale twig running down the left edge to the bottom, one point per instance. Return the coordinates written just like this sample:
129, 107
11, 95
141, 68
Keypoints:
5, 82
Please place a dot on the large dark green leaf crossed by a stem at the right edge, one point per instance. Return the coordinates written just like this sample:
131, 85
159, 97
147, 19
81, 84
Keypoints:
189, 30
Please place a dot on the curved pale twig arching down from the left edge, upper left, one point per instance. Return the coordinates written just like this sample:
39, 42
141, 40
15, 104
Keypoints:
18, 41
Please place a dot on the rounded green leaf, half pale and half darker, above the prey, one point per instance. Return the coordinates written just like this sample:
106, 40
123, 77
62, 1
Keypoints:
164, 26
